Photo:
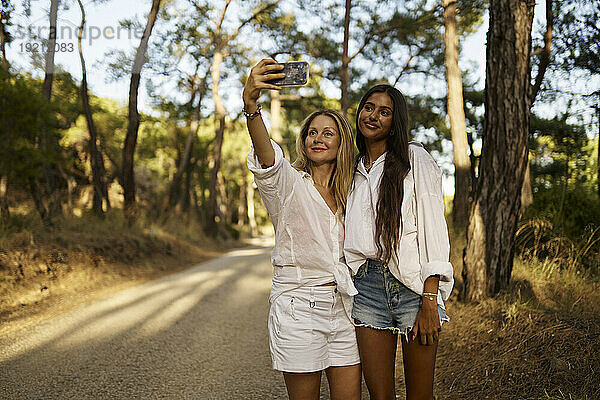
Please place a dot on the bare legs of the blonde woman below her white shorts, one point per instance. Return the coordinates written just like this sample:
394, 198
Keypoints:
344, 383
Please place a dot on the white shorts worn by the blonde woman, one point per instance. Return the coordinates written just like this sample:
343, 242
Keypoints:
309, 331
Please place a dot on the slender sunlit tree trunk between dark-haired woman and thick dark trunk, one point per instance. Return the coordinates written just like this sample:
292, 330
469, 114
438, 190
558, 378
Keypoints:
456, 113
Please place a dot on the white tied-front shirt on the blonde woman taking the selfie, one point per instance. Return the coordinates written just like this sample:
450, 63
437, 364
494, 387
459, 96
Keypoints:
308, 236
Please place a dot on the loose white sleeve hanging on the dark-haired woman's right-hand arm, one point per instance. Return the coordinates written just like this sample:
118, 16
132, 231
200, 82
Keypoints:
432, 231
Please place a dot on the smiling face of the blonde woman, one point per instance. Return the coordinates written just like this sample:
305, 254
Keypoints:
322, 140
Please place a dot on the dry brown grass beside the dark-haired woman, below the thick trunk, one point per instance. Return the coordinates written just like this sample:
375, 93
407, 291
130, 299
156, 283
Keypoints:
540, 339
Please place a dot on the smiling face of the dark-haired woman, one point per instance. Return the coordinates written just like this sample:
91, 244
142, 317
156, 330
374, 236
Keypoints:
376, 117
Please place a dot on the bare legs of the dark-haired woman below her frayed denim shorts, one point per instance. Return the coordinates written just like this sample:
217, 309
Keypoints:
378, 355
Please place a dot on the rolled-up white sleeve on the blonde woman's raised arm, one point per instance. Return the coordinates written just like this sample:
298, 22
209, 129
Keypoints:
275, 182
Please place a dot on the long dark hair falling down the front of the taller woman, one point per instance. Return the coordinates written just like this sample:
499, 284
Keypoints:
396, 166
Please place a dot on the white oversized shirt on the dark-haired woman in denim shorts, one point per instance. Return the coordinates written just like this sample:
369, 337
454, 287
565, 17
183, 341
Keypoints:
424, 248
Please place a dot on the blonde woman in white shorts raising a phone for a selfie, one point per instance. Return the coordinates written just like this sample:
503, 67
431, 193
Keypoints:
310, 330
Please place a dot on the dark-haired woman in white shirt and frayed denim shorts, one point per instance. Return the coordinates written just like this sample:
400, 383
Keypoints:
397, 247
